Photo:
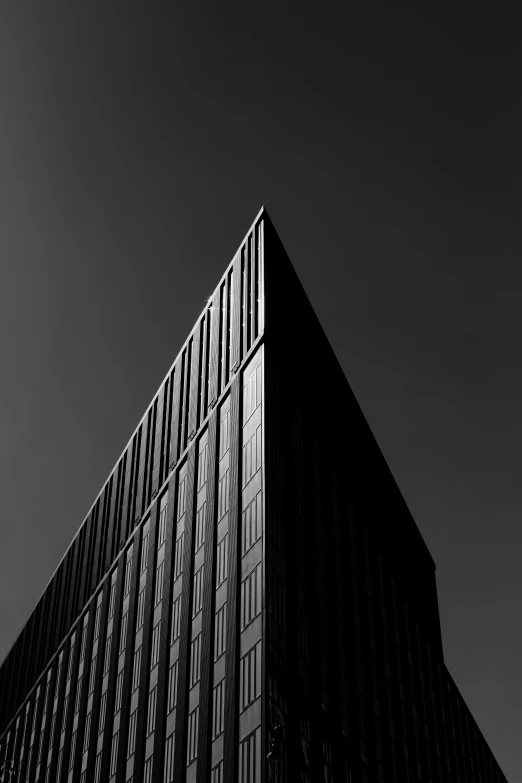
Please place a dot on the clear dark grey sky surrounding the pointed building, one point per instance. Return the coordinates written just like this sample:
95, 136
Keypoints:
137, 144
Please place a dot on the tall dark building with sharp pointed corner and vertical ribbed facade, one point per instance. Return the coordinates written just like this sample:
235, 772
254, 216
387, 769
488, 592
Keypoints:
248, 583
